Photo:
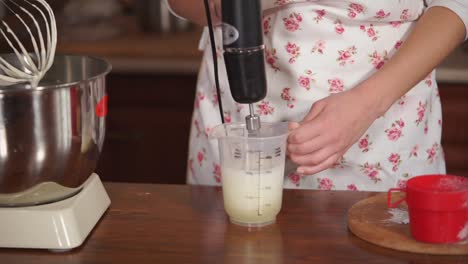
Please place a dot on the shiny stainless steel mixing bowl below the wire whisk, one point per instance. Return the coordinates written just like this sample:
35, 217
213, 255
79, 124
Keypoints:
51, 135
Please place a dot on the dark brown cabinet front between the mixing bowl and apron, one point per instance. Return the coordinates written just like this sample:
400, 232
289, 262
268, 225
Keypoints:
147, 128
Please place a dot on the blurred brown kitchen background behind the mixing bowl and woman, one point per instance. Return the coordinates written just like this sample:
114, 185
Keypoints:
155, 60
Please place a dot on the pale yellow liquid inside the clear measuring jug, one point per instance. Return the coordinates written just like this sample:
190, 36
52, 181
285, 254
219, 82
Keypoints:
248, 204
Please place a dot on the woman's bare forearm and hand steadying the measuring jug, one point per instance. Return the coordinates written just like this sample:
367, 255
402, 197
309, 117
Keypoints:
338, 121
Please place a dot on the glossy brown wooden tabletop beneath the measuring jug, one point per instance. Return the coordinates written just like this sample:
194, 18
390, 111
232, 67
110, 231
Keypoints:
187, 224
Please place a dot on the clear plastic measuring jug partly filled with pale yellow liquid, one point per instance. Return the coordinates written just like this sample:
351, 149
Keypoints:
252, 171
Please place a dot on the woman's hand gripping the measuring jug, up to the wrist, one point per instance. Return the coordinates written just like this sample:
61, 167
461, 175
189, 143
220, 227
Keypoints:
331, 127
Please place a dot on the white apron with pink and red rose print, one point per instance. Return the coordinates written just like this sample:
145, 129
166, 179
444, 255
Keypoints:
314, 49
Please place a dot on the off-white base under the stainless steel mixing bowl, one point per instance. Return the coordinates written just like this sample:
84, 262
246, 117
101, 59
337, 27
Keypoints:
57, 226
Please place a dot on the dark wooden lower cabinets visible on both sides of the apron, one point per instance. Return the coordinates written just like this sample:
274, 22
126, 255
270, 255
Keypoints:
149, 124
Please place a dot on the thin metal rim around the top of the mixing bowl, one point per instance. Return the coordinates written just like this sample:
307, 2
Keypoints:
22, 87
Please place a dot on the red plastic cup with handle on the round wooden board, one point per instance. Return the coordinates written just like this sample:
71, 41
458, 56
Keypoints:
437, 207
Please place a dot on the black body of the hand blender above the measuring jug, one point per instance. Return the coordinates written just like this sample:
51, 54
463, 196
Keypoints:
244, 50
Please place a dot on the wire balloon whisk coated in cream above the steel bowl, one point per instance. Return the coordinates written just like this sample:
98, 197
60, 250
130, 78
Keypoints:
33, 65
